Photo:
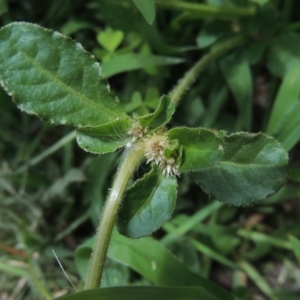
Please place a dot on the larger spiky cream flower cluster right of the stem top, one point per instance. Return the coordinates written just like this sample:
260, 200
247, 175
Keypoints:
155, 146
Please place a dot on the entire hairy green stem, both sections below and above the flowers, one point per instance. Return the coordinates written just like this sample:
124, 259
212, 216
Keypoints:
131, 160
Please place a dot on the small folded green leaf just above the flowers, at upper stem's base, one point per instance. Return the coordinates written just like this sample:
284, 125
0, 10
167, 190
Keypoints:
160, 116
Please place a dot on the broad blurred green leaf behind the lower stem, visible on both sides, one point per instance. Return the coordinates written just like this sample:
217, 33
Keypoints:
150, 259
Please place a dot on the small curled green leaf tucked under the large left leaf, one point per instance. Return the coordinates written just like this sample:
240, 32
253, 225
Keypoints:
105, 138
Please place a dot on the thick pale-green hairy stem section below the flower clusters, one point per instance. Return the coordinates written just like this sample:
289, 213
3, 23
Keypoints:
124, 173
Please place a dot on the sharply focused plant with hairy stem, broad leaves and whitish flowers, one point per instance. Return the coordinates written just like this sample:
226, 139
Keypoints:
52, 76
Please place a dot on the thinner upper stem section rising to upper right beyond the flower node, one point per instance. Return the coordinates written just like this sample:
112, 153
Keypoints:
189, 78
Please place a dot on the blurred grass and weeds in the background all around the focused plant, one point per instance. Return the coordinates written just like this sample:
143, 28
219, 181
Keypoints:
52, 192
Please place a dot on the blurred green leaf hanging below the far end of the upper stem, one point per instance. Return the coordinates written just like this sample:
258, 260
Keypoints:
239, 79
